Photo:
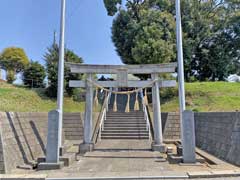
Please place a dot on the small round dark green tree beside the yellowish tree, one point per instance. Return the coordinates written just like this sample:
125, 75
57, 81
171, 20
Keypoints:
34, 75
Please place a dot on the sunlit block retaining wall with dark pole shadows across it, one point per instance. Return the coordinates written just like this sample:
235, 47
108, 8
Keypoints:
23, 137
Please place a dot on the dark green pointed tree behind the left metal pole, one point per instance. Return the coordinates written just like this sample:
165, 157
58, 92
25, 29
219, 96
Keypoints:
51, 58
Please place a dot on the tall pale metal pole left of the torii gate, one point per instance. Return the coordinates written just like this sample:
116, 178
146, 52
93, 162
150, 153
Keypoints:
60, 91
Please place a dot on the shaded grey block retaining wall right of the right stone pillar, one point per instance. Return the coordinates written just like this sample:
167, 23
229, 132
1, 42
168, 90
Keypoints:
219, 134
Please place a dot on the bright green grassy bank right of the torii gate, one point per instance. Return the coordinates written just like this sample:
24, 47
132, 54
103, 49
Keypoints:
206, 96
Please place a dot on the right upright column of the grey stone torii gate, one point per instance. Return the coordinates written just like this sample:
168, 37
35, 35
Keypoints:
157, 145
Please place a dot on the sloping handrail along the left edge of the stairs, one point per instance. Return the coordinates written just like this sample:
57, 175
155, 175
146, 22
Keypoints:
103, 112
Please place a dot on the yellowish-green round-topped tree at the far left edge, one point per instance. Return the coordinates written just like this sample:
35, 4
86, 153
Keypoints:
13, 60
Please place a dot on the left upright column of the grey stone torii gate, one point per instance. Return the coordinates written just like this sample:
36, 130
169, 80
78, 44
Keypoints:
87, 144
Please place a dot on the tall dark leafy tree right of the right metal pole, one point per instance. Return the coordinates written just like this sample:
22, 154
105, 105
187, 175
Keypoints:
207, 51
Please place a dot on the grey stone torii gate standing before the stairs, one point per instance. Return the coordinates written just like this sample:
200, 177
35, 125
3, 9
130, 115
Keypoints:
122, 72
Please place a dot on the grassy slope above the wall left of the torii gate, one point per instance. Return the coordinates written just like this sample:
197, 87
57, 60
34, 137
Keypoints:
20, 99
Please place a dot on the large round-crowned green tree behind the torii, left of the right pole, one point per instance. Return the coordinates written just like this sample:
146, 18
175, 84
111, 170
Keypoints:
142, 35
